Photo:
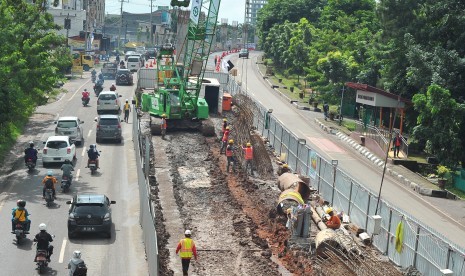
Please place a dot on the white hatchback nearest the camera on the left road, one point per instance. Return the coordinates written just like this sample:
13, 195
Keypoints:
57, 149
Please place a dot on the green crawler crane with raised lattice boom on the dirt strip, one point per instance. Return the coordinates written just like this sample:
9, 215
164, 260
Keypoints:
177, 93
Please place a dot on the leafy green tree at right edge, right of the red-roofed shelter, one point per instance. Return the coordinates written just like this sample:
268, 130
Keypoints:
438, 124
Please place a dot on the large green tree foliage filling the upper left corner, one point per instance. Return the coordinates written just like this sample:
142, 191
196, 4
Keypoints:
31, 61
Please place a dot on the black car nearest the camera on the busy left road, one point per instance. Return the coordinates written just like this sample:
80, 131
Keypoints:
89, 213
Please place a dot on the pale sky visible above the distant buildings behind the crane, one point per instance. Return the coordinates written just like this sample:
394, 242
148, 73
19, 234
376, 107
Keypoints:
233, 10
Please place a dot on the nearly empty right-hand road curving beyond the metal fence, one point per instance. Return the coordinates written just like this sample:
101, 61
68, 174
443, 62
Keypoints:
329, 147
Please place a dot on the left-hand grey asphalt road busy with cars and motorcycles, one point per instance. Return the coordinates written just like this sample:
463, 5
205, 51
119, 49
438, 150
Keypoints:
124, 253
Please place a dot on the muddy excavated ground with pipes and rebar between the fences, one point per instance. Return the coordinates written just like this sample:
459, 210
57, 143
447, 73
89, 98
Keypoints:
236, 219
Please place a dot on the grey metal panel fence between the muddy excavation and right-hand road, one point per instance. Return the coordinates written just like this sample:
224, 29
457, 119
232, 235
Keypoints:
422, 247
